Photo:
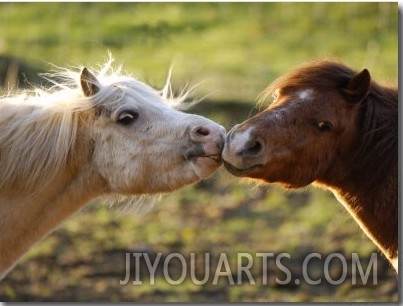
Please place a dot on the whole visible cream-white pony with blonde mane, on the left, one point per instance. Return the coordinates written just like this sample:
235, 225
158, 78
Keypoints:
90, 136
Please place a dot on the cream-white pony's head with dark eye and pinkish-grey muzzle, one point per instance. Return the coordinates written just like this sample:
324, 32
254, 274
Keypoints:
141, 144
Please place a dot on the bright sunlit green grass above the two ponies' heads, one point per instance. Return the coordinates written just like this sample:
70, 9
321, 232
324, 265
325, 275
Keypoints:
236, 48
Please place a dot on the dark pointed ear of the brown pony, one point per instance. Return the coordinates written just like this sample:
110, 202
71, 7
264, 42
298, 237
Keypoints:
357, 88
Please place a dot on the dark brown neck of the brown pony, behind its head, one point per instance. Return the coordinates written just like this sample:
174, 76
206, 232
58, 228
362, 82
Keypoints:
367, 183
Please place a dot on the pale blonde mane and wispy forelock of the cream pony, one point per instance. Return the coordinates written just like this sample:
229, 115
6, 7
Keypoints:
38, 128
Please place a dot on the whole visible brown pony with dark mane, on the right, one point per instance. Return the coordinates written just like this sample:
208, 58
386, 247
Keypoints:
334, 127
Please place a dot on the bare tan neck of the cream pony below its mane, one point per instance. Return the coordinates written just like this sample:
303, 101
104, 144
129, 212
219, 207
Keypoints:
25, 220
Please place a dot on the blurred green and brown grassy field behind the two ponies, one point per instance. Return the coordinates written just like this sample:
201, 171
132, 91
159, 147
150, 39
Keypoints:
233, 50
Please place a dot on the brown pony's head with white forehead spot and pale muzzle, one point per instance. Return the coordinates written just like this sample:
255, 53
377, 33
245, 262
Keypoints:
309, 129
